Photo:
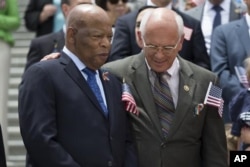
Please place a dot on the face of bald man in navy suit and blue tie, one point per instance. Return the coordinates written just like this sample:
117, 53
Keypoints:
91, 43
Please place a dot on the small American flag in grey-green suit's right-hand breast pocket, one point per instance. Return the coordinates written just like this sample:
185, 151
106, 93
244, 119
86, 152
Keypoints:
213, 97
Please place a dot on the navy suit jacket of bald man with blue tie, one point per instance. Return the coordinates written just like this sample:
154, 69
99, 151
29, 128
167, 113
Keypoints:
62, 123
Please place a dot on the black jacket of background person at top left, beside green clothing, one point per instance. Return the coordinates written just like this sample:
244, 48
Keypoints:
32, 14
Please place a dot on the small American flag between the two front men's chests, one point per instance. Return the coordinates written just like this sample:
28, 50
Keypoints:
129, 100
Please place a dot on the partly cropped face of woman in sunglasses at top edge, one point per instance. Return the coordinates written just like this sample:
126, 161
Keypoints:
119, 7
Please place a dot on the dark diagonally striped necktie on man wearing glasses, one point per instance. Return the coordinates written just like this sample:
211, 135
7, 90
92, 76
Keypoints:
164, 102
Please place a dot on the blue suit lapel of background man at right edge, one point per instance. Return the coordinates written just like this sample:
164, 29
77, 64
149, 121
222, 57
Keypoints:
242, 31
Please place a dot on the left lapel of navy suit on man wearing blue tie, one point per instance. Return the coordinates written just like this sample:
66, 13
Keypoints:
77, 77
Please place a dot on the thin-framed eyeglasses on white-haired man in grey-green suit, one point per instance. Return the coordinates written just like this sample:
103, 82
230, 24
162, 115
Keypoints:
165, 49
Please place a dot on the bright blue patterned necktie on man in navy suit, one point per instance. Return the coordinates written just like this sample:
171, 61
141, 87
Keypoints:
95, 88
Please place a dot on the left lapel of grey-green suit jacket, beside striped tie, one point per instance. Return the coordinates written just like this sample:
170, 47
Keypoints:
142, 86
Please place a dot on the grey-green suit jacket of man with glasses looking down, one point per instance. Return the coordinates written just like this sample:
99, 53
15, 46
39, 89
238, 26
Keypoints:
193, 140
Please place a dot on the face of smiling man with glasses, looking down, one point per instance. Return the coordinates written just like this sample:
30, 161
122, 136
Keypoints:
161, 46
